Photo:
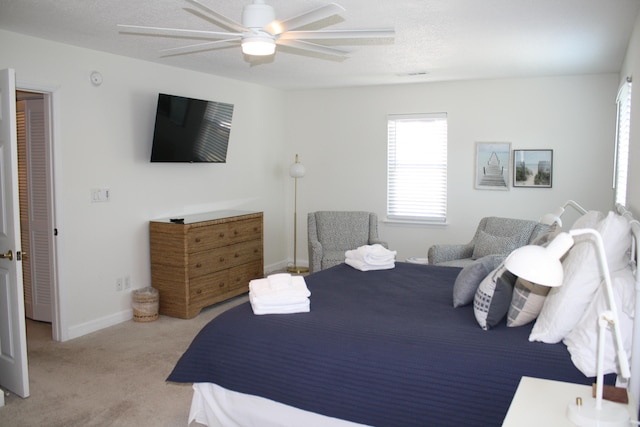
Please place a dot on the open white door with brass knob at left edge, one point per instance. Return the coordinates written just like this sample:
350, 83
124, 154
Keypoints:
14, 375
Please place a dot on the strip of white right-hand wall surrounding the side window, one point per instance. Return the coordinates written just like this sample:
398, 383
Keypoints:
631, 67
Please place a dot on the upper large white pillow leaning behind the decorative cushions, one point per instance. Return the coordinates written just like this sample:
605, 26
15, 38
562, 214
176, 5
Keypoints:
566, 304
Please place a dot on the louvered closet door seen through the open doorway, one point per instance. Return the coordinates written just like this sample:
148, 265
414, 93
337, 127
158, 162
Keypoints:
40, 234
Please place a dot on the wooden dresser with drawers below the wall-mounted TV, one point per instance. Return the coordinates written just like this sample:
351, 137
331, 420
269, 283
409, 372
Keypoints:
207, 259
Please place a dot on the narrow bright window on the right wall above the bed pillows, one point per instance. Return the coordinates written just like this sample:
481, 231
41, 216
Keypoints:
621, 158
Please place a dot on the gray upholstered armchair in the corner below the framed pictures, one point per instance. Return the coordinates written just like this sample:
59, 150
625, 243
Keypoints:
494, 236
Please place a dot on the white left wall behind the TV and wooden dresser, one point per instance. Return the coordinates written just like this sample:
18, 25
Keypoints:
104, 141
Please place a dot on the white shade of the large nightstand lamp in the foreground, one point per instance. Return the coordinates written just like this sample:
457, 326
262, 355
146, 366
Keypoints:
538, 264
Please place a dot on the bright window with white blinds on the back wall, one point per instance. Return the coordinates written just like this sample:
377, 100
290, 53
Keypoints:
417, 167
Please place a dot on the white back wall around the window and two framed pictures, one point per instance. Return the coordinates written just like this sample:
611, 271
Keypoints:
341, 137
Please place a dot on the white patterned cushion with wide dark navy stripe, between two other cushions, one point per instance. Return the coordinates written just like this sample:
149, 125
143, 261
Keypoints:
493, 297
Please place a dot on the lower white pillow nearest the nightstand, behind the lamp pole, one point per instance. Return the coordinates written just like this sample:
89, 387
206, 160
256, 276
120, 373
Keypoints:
582, 341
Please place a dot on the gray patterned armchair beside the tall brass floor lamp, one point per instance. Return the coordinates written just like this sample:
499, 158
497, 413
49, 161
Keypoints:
332, 233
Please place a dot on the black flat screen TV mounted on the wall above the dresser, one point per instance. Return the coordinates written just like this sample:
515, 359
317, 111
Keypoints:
191, 130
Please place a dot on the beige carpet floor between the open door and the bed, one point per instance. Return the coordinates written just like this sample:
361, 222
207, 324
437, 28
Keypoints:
113, 377
